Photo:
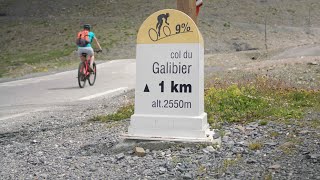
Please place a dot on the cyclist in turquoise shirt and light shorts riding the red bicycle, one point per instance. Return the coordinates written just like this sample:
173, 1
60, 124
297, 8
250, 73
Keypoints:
88, 48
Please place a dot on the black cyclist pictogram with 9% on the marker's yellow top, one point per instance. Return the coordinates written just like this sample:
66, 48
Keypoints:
161, 32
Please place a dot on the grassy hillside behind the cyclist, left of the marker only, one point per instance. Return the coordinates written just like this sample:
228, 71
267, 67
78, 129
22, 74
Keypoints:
40, 36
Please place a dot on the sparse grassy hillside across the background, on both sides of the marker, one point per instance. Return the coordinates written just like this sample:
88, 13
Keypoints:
39, 35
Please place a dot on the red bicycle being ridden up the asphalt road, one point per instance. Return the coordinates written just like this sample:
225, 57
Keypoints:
84, 72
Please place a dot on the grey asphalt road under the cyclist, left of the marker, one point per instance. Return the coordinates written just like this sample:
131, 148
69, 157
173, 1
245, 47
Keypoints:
22, 97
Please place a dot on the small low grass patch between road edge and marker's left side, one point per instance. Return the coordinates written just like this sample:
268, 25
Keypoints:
124, 112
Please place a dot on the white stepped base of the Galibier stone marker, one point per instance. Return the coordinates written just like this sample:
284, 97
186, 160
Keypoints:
174, 128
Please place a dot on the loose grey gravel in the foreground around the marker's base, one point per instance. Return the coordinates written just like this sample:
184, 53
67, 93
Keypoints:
63, 144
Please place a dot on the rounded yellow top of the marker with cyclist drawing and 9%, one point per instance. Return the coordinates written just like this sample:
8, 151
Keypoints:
169, 26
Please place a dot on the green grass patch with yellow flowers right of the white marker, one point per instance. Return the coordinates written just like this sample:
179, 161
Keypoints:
262, 99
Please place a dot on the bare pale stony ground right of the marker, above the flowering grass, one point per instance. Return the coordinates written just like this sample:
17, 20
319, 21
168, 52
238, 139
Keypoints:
299, 71
